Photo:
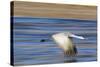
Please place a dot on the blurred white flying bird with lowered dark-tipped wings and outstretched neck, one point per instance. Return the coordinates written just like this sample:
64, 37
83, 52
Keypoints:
64, 41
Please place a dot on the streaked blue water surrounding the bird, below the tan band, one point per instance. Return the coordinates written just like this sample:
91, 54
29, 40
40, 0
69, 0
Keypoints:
28, 32
